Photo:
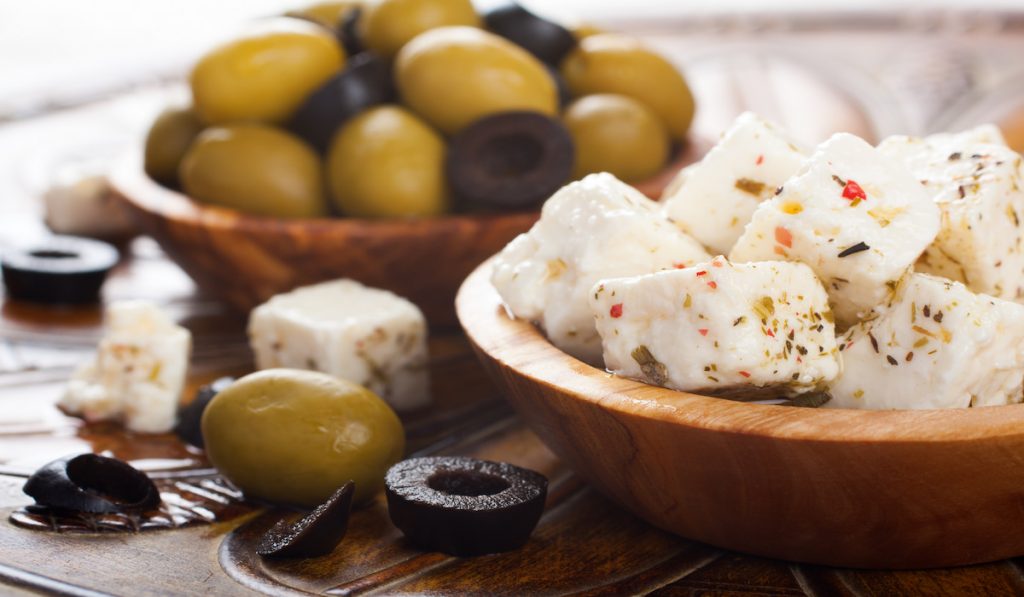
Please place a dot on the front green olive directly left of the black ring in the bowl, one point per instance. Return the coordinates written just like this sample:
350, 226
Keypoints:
387, 163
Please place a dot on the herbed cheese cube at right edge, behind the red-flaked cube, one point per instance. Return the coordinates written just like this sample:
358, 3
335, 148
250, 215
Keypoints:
979, 188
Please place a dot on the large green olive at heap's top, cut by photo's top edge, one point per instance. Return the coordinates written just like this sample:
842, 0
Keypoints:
389, 25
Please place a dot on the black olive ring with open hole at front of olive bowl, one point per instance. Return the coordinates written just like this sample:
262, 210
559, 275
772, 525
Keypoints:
513, 160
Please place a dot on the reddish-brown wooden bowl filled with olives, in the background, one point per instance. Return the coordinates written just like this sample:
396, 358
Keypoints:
247, 260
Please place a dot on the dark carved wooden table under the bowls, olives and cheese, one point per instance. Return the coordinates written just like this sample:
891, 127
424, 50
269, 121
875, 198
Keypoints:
584, 544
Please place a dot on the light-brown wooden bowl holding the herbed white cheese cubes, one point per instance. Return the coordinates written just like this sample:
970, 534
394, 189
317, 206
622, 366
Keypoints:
861, 489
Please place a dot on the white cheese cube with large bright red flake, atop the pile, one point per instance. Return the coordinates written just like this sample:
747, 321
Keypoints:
859, 219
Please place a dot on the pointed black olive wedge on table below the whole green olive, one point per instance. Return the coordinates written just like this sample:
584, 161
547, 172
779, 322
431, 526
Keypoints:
316, 534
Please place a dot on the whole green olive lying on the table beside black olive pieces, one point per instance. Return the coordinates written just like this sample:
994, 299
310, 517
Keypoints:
293, 438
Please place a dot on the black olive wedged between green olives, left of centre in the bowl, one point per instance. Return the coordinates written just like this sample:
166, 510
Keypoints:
366, 82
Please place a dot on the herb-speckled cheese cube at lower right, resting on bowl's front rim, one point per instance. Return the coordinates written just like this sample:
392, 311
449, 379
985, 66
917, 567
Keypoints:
937, 347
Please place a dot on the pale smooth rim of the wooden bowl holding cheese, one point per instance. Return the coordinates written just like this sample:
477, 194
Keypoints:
520, 348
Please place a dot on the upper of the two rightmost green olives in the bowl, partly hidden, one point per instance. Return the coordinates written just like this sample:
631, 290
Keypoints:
617, 64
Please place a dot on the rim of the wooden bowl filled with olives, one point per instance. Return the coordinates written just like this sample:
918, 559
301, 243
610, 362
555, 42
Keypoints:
130, 181
